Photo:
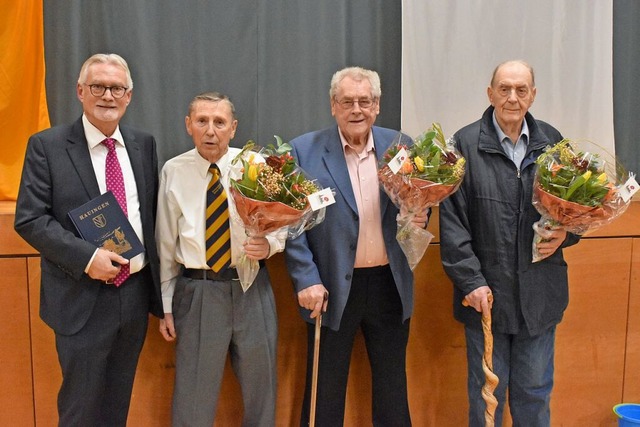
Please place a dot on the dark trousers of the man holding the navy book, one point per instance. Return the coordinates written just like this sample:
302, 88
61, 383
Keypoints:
99, 362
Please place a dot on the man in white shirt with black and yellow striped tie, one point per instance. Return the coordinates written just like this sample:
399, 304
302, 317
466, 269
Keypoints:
205, 308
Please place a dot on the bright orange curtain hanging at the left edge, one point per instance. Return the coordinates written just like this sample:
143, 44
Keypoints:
23, 104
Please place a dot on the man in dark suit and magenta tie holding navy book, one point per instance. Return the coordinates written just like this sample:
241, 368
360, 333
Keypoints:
99, 325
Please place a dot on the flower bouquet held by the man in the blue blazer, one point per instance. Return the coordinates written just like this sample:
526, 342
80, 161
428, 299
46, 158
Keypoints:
417, 175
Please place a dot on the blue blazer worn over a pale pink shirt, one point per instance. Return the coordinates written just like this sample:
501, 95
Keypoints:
326, 253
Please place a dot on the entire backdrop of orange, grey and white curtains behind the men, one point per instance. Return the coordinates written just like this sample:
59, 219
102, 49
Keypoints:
275, 59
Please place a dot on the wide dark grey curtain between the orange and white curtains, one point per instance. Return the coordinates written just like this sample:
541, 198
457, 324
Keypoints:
274, 58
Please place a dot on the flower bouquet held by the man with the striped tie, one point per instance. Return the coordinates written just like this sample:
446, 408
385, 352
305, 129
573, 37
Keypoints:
271, 193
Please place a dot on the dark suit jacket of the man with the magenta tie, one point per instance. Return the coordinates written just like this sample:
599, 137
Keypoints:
58, 176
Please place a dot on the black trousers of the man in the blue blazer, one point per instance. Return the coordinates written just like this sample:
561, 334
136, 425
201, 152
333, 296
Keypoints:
373, 305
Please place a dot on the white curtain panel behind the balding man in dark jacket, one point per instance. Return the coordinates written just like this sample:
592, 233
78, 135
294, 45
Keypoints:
450, 48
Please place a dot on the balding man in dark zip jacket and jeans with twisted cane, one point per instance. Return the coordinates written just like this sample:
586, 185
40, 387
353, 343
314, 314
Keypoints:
486, 232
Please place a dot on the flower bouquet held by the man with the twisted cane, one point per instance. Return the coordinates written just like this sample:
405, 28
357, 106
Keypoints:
578, 190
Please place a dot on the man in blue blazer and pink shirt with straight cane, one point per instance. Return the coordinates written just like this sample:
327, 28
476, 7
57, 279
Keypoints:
354, 257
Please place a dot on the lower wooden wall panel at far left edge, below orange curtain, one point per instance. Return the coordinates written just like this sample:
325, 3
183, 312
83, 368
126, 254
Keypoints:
16, 392
